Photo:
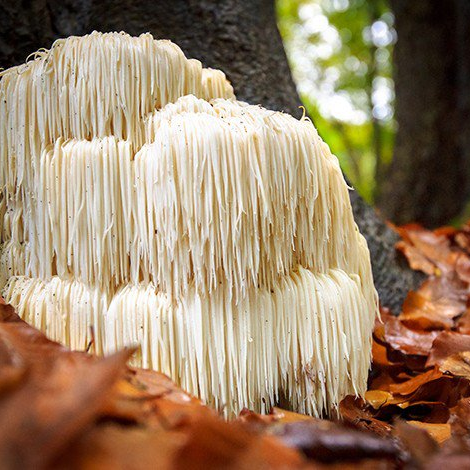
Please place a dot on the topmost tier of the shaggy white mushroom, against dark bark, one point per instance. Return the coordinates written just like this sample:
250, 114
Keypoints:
88, 87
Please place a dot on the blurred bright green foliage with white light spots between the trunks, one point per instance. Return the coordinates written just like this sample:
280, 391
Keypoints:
340, 54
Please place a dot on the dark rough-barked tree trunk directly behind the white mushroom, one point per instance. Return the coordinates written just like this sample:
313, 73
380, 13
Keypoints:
241, 38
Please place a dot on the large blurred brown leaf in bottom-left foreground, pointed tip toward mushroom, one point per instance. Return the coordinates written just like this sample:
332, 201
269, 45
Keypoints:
48, 411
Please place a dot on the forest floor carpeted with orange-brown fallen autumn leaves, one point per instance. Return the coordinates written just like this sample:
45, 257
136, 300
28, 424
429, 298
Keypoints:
65, 409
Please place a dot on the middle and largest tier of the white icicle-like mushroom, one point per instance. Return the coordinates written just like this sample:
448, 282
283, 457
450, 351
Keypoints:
222, 192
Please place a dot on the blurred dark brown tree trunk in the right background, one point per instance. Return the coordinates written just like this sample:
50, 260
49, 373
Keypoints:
428, 181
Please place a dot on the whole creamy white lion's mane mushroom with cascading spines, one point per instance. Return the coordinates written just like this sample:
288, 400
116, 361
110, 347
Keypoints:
138, 197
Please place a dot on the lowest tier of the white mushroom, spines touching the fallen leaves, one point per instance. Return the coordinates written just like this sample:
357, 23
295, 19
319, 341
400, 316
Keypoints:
306, 340
